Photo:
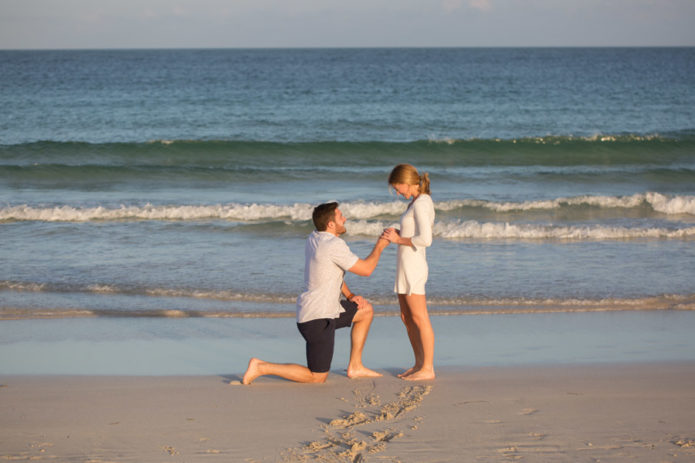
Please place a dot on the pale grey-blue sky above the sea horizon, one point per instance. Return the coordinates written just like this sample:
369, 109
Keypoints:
347, 23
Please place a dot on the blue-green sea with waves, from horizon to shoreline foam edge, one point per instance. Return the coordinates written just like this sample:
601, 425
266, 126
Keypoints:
181, 182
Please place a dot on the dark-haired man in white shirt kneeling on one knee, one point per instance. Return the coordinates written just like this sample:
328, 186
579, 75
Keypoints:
319, 308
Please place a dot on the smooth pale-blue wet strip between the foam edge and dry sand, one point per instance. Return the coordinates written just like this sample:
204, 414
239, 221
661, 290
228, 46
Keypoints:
127, 346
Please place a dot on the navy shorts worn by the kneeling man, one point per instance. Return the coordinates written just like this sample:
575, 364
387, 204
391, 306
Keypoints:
319, 335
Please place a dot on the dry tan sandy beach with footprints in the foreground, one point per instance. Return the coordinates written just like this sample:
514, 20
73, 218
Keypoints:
625, 412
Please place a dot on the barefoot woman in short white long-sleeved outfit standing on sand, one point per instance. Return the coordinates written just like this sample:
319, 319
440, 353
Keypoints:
414, 237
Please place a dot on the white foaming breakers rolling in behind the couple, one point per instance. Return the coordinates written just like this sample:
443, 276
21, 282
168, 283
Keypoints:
501, 220
